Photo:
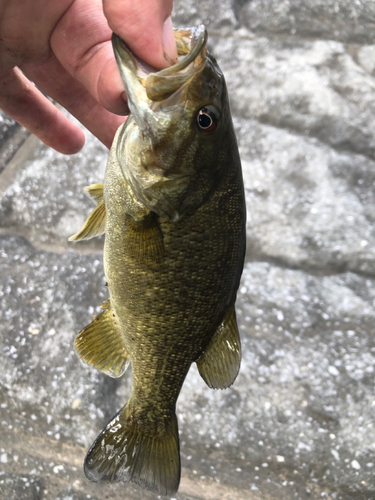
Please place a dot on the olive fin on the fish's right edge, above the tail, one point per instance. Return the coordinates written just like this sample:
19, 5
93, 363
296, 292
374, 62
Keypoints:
220, 363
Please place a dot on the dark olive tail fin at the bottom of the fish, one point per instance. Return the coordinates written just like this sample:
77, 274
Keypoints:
123, 453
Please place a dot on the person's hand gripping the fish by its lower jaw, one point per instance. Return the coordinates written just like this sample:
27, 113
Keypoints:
65, 49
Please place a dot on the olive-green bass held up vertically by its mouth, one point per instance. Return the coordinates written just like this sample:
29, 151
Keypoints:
172, 208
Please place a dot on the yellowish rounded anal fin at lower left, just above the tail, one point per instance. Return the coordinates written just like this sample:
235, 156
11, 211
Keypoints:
101, 344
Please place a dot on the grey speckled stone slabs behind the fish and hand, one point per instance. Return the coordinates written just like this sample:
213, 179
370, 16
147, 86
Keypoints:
299, 421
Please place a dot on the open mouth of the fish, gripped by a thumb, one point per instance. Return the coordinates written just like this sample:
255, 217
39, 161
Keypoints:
147, 88
